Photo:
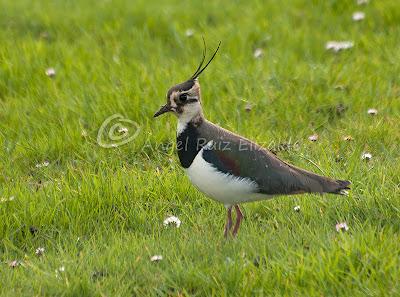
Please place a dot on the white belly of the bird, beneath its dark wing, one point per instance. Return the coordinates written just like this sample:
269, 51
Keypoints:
219, 186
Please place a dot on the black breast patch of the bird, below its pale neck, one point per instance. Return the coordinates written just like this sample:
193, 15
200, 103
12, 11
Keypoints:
188, 145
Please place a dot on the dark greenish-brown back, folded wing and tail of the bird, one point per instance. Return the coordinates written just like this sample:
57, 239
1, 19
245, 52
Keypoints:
238, 156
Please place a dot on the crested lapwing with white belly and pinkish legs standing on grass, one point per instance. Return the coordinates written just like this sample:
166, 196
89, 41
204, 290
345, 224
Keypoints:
230, 168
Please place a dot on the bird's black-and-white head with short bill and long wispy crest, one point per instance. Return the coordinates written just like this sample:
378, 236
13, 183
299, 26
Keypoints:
184, 99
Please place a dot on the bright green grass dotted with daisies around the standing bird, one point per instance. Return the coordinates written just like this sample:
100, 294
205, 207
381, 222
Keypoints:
99, 212
